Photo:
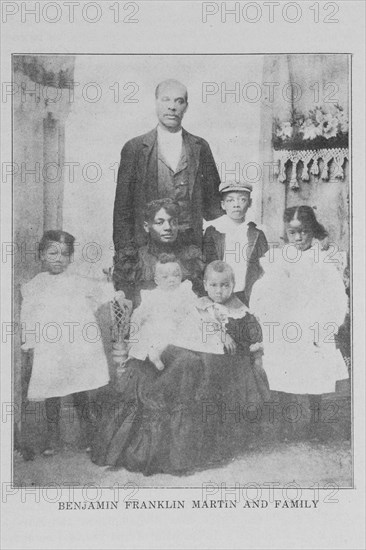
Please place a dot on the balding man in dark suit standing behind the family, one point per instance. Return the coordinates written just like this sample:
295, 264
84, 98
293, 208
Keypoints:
167, 162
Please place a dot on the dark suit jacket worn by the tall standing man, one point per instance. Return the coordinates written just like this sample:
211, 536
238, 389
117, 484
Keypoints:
137, 185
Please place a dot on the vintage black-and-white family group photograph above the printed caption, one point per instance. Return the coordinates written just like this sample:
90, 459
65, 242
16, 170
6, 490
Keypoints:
182, 269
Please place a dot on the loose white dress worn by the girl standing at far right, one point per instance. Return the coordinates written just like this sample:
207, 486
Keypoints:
300, 304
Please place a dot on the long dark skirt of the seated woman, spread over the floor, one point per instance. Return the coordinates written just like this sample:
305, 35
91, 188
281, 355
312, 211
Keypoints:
202, 409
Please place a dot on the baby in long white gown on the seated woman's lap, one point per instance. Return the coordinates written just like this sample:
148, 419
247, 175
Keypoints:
167, 315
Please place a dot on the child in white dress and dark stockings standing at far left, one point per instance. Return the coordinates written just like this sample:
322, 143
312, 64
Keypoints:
58, 323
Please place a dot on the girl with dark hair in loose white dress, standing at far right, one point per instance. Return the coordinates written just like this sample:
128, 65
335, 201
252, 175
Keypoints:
301, 303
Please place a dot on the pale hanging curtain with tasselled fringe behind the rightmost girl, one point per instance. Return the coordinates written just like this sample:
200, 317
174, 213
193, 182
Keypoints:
315, 176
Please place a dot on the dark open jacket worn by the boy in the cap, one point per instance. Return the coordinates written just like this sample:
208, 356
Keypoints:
214, 249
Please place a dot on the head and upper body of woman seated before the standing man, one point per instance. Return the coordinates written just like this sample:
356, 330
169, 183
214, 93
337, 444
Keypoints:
135, 268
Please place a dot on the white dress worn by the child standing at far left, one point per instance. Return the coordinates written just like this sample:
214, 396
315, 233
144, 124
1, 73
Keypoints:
69, 355
